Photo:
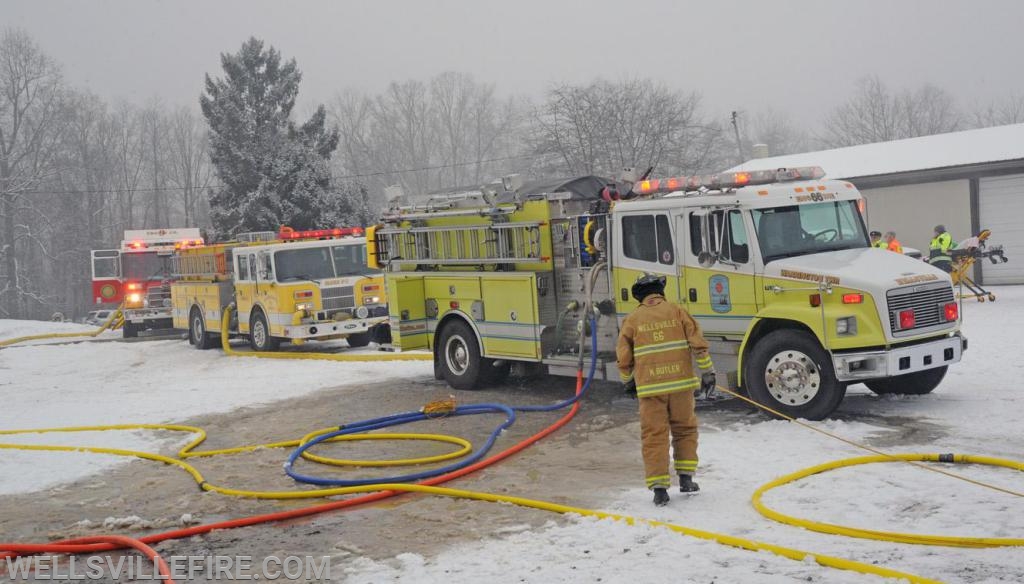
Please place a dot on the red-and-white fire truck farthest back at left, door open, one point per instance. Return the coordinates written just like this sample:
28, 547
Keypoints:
139, 276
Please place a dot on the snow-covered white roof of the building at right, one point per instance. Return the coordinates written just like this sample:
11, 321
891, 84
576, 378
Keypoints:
943, 151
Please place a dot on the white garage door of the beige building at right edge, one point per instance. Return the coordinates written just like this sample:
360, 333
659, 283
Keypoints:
1002, 210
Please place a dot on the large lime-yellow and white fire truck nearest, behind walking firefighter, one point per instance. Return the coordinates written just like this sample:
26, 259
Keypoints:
776, 266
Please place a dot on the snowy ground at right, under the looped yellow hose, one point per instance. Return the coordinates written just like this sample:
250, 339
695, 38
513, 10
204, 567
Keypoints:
977, 410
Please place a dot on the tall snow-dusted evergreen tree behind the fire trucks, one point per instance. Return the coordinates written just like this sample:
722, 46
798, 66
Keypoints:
274, 172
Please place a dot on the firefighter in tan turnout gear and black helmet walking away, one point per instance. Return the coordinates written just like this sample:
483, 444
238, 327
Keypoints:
655, 351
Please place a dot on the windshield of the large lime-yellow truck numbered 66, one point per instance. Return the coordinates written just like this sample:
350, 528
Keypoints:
802, 230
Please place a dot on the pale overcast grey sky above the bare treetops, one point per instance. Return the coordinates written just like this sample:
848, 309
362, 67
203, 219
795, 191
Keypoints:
796, 57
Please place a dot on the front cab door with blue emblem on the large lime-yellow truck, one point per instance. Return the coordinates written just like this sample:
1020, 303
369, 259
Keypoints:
722, 297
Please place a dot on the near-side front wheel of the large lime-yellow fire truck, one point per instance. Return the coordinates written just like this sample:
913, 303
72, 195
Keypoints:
789, 371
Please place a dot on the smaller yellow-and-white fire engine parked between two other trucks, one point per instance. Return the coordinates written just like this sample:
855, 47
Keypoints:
290, 286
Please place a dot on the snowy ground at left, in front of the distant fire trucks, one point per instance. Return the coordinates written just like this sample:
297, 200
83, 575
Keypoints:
97, 384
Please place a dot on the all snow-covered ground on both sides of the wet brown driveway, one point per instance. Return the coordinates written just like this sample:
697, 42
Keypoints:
976, 411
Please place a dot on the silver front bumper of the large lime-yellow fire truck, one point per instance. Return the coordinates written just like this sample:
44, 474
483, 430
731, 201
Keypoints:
900, 361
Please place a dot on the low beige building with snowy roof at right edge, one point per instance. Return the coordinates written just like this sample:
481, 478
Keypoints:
966, 181
